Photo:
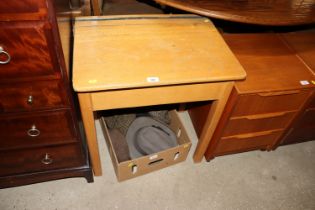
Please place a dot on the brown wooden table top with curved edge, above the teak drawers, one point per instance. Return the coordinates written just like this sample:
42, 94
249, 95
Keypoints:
262, 12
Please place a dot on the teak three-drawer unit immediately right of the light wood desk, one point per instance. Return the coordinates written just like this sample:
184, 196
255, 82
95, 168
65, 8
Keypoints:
261, 108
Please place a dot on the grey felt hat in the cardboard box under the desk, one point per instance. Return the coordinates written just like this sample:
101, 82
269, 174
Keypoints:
146, 136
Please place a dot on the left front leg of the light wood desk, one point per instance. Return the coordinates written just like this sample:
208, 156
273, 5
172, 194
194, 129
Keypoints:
90, 131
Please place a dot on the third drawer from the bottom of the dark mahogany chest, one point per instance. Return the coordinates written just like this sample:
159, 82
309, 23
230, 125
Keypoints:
32, 96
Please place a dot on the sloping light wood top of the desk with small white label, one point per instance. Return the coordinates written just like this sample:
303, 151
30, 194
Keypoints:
115, 53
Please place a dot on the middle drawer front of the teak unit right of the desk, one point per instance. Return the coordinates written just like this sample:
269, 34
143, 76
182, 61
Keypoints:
258, 123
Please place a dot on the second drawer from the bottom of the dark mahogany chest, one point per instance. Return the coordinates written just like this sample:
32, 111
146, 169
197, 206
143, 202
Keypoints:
29, 130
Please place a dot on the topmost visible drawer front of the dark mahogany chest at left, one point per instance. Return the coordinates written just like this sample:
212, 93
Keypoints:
23, 10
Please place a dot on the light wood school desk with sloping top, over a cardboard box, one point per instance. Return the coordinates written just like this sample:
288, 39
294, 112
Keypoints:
135, 61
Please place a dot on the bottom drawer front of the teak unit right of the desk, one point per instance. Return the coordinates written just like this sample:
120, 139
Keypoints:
244, 143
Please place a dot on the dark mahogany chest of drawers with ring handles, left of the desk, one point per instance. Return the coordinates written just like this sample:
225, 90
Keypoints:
39, 135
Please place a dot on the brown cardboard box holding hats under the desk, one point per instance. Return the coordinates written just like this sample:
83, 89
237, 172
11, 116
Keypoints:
139, 166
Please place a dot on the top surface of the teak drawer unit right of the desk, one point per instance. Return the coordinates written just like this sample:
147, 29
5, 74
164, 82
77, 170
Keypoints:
264, 54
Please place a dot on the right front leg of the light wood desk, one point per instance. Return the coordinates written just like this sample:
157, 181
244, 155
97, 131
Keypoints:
212, 120
